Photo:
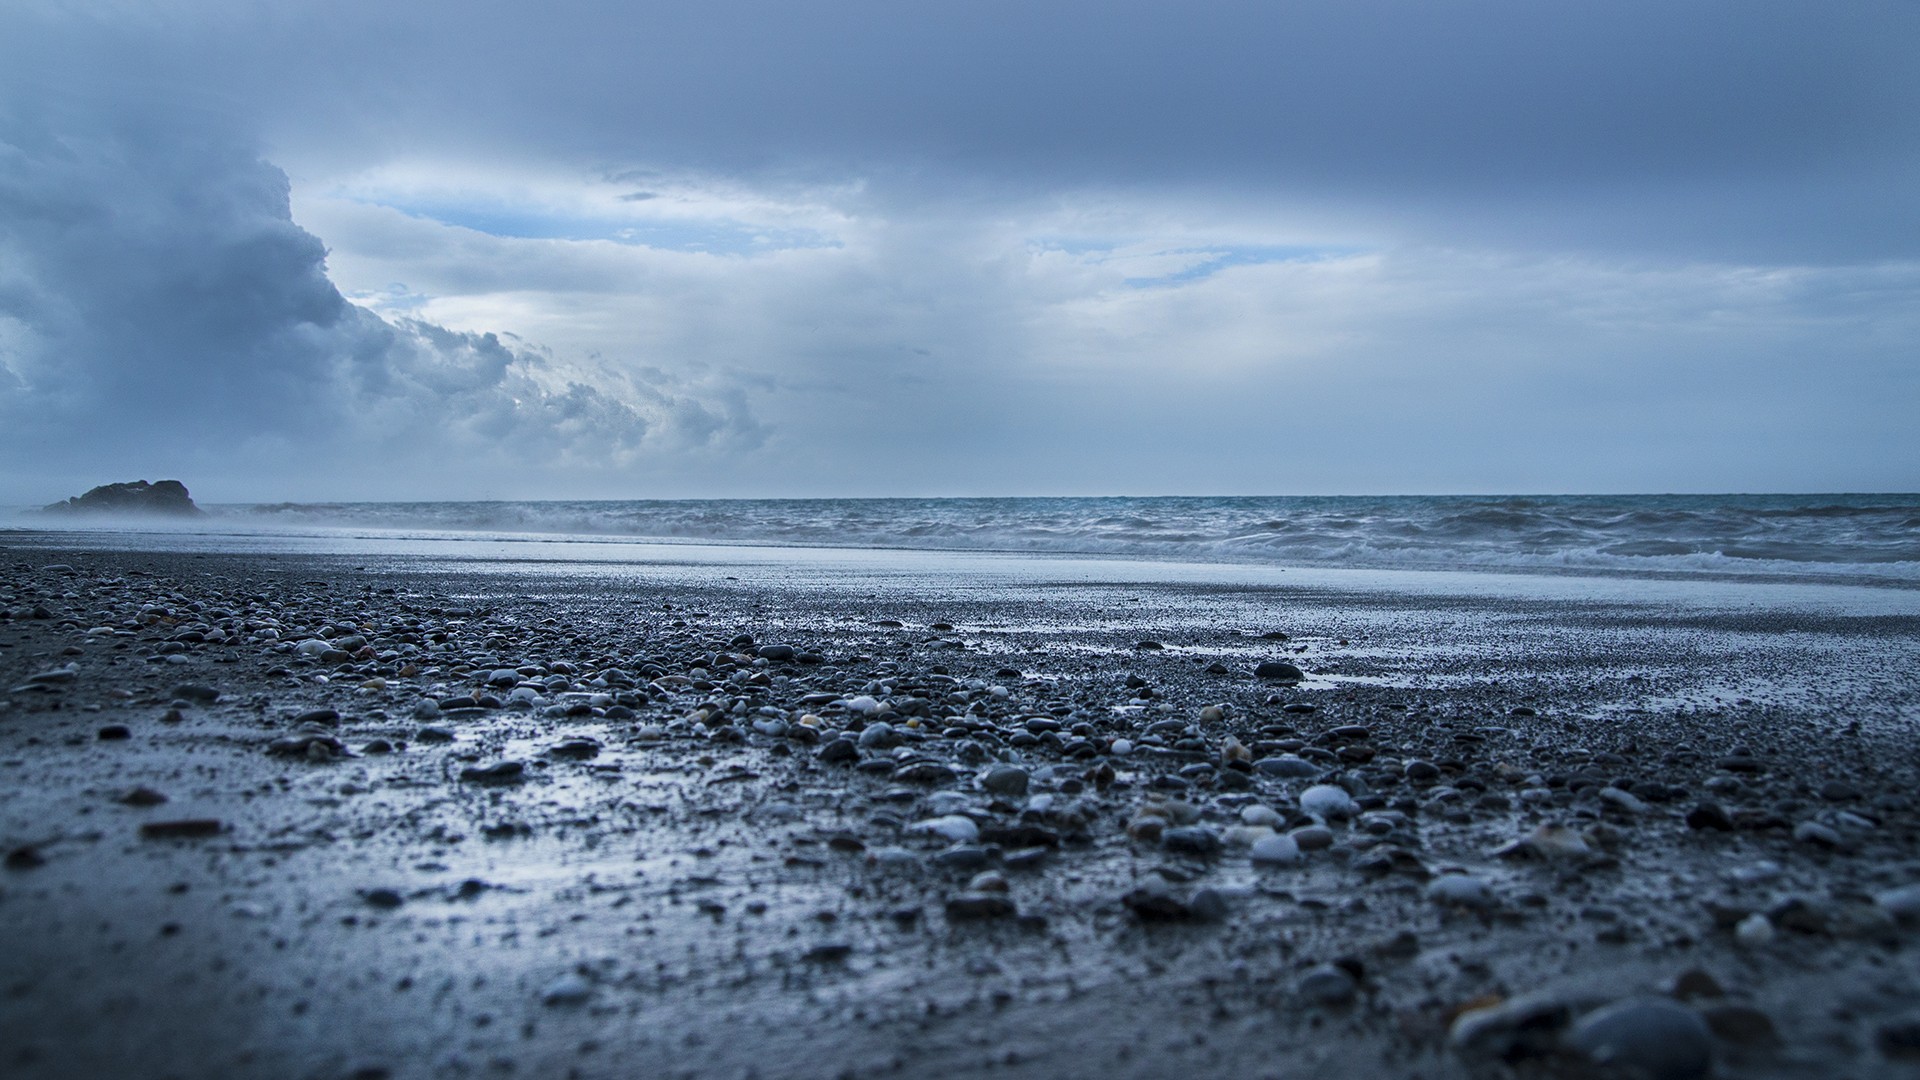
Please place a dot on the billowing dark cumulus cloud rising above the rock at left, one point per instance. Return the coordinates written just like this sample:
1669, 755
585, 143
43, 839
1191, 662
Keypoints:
162, 310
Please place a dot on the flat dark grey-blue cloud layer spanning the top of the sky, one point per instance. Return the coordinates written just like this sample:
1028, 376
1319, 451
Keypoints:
1719, 130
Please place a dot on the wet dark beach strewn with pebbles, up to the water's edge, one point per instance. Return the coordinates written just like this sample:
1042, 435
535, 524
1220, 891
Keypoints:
362, 810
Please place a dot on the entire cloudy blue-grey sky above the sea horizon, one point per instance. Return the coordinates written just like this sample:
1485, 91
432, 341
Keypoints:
444, 251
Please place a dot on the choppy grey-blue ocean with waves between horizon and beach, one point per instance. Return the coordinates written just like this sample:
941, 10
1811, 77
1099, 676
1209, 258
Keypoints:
1867, 539
